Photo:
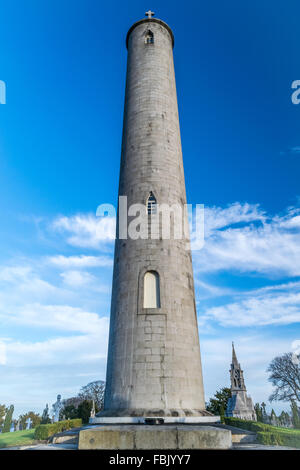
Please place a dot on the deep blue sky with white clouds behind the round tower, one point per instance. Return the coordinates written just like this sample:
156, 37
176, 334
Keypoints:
64, 65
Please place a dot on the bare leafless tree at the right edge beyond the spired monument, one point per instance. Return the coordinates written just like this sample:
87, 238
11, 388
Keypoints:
285, 376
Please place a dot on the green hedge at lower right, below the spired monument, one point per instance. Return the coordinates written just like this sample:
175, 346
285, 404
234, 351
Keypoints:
267, 434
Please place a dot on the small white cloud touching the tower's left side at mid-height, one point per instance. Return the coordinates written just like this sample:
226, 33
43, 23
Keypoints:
86, 230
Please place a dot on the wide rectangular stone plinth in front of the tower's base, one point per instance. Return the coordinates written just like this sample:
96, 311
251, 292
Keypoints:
142, 437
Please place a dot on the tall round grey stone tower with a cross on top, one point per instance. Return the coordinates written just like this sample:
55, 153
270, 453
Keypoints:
154, 365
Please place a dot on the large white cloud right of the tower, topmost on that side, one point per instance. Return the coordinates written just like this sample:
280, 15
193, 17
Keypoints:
270, 246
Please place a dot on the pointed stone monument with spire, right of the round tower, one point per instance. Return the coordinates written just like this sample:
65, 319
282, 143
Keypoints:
240, 404
